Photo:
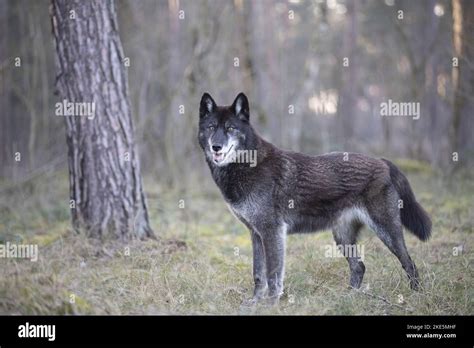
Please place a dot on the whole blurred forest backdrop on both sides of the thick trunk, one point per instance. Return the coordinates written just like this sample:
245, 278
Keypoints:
287, 56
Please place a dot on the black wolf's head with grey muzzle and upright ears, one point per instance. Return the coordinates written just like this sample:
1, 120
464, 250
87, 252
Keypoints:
224, 130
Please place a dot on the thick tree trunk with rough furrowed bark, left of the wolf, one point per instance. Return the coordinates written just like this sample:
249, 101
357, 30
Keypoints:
105, 183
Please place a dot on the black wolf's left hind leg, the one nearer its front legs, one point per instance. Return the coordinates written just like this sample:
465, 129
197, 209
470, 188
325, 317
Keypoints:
345, 236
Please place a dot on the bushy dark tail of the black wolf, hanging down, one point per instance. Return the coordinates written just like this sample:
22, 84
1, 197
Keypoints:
414, 217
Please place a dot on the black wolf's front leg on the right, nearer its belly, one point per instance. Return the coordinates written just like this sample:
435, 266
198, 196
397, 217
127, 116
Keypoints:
274, 246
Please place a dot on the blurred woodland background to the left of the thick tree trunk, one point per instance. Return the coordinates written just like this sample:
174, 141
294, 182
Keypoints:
29, 133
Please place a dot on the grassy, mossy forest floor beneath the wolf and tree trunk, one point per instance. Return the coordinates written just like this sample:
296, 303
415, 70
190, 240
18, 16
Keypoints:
202, 262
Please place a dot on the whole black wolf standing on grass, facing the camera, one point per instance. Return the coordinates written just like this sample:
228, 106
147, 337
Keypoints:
289, 192
